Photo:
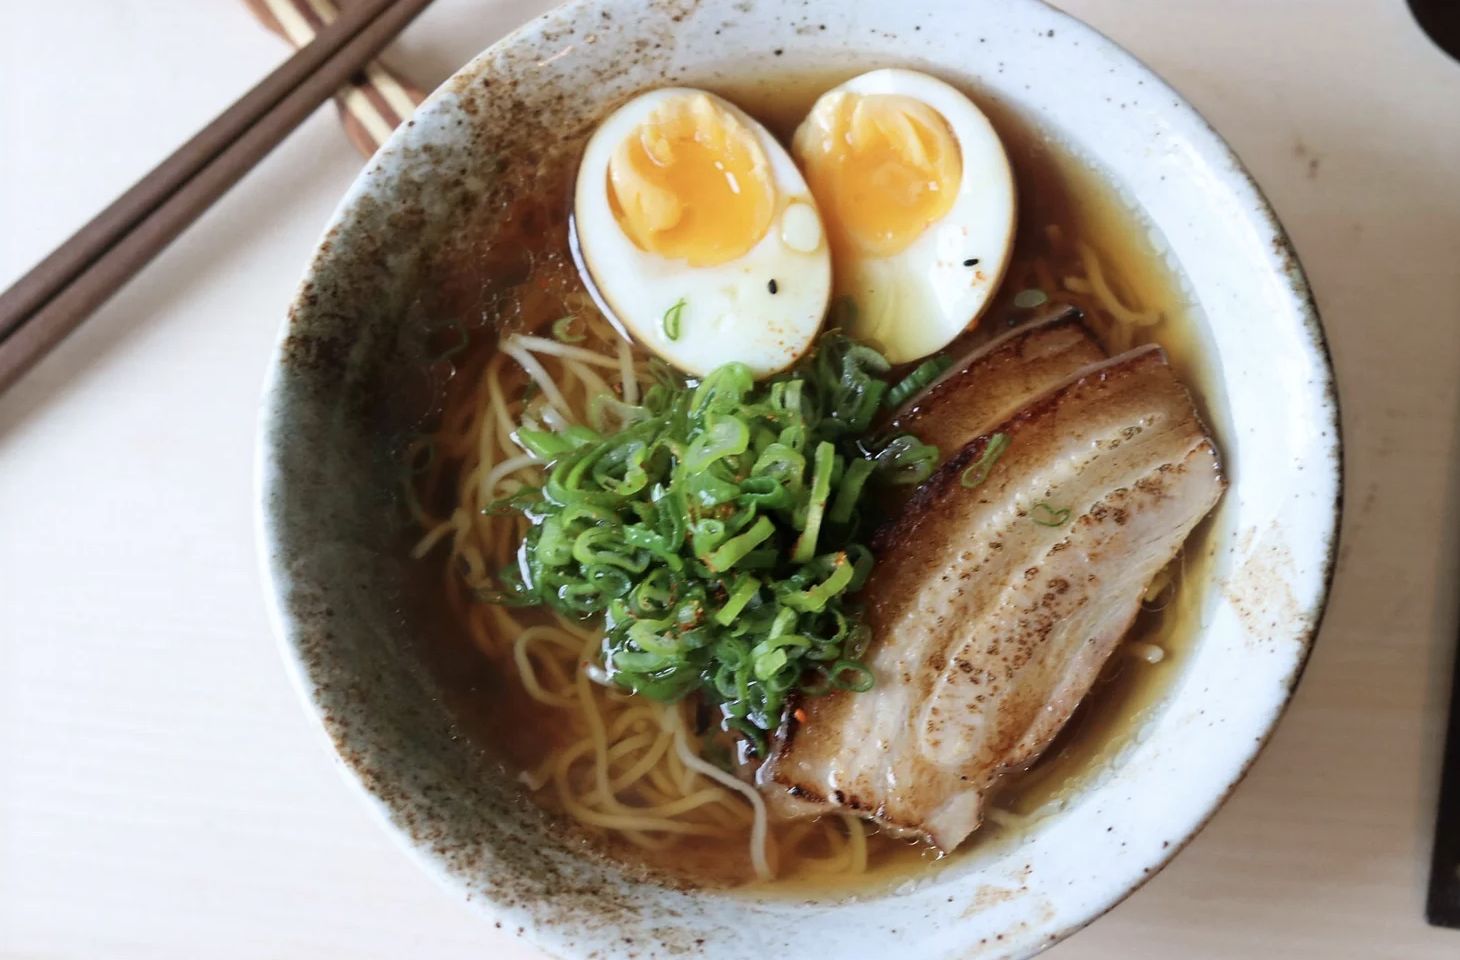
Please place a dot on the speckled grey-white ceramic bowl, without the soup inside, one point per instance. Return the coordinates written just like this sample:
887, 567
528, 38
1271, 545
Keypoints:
353, 612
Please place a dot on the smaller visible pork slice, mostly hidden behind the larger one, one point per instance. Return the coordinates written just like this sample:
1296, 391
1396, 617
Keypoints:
995, 382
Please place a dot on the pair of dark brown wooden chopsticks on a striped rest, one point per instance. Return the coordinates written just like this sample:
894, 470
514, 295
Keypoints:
81, 275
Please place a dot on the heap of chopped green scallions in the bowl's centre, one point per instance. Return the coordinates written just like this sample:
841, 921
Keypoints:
719, 533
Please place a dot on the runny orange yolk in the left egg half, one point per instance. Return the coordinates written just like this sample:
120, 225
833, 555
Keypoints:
693, 183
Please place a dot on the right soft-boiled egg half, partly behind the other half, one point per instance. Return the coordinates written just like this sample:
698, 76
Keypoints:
919, 202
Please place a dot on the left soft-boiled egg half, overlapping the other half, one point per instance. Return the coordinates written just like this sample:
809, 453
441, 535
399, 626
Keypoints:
699, 234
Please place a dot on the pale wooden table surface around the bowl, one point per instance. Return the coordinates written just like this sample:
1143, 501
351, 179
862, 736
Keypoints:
164, 796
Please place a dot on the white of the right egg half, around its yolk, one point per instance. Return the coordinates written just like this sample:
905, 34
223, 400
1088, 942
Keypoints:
915, 303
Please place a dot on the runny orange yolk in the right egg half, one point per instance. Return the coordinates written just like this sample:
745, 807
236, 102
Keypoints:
883, 169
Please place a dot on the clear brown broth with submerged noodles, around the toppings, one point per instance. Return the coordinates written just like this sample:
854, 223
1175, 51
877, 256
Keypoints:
513, 274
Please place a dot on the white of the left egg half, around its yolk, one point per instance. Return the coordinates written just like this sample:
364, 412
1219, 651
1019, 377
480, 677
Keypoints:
729, 310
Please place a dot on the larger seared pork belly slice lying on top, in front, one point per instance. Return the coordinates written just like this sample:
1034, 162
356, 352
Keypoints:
992, 609
